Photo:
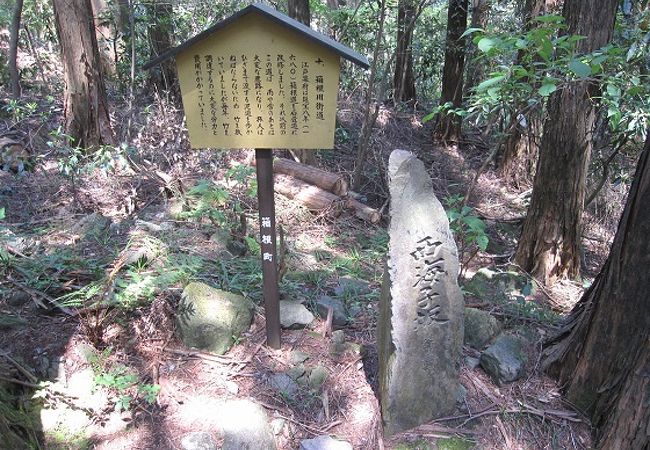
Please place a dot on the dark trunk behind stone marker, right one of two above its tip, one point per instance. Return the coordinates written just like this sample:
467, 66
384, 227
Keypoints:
448, 126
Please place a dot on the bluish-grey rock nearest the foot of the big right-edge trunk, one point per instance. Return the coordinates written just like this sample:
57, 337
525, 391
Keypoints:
504, 360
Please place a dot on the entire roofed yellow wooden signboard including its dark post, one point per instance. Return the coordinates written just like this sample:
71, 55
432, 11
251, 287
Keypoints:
262, 80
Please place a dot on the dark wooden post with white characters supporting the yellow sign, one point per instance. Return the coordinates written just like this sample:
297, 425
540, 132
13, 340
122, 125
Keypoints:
264, 162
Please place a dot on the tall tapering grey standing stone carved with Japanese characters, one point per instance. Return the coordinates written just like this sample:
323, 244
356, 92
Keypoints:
420, 330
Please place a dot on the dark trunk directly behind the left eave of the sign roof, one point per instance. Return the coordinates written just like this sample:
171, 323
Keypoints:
160, 31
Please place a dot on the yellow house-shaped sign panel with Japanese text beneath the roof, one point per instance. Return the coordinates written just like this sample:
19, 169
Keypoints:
256, 84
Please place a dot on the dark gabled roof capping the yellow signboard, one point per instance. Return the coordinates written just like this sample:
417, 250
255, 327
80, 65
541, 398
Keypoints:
277, 17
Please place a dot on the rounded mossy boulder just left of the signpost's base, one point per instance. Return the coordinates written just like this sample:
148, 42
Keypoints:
210, 319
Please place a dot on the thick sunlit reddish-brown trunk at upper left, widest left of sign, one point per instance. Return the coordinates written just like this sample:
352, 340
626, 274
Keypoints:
86, 111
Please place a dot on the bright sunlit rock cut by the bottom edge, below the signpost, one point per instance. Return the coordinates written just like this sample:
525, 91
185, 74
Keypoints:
245, 426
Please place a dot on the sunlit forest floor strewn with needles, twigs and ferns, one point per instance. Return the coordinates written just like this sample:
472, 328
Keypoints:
69, 238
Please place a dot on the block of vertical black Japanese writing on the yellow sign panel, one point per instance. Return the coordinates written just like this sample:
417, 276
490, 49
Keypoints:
259, 94
